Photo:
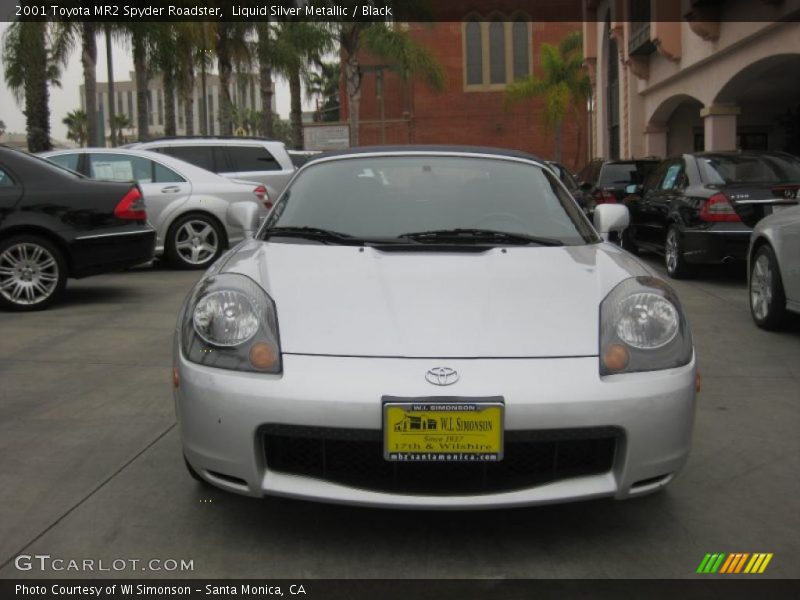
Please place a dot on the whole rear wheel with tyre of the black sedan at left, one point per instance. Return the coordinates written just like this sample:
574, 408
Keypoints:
33, 273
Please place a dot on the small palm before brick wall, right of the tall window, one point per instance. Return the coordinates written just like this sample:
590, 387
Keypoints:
564, 85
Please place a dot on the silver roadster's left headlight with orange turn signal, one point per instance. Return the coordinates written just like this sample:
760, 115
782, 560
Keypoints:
229, 322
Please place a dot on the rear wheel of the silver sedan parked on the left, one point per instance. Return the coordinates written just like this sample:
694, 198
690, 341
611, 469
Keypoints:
194, 242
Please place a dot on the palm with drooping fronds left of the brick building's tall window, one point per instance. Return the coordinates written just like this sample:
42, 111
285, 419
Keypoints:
389, 42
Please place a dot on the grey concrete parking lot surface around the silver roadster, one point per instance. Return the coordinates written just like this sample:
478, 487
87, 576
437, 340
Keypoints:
91, 464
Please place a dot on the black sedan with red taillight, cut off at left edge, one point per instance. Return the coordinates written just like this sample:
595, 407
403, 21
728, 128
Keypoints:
55, 224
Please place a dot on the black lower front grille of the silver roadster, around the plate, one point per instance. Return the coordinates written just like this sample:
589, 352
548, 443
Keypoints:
354, 457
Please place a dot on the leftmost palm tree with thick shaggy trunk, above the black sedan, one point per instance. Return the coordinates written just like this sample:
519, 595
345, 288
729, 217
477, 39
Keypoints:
29, 67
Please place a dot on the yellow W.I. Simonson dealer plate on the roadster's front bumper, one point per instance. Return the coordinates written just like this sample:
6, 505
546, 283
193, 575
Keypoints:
445, 430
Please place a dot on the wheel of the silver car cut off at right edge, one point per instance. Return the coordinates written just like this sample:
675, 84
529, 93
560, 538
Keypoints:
767, 298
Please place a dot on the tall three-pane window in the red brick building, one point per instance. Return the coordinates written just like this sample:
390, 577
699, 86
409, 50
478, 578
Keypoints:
495, 53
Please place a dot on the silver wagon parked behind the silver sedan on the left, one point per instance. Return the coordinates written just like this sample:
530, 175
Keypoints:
253, 159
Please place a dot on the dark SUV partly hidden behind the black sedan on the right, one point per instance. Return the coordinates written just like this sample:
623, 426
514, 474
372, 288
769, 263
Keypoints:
605, 182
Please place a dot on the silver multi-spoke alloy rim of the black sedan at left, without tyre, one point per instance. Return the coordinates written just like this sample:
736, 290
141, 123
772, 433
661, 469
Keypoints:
28, 274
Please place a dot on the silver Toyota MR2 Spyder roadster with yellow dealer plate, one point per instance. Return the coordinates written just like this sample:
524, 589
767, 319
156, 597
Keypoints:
453, 293
